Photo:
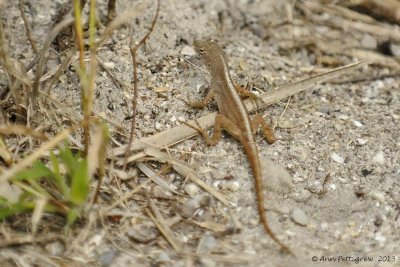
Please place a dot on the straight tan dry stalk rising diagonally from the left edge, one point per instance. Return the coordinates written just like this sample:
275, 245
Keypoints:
8, 173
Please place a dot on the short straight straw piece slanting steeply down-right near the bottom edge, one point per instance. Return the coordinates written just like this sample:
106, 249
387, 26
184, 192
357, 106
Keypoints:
163, 227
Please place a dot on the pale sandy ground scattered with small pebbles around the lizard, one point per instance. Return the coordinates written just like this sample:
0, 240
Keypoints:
344, 133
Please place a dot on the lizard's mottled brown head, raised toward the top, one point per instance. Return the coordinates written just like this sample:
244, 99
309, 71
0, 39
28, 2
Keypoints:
210, 53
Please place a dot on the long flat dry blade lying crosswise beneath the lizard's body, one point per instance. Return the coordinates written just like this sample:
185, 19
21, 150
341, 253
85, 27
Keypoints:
183, 132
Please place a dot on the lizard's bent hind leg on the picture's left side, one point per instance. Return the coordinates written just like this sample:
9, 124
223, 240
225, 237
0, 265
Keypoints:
221, 122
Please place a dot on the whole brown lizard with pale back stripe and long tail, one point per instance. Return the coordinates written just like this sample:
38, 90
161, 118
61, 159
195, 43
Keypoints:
234, 118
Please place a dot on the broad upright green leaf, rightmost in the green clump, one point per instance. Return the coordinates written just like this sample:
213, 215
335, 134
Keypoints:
80, 183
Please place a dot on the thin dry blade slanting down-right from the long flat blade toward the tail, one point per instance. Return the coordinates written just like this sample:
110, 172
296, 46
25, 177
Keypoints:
188, 172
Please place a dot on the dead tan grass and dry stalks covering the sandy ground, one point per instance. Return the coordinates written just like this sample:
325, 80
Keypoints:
130, 197
